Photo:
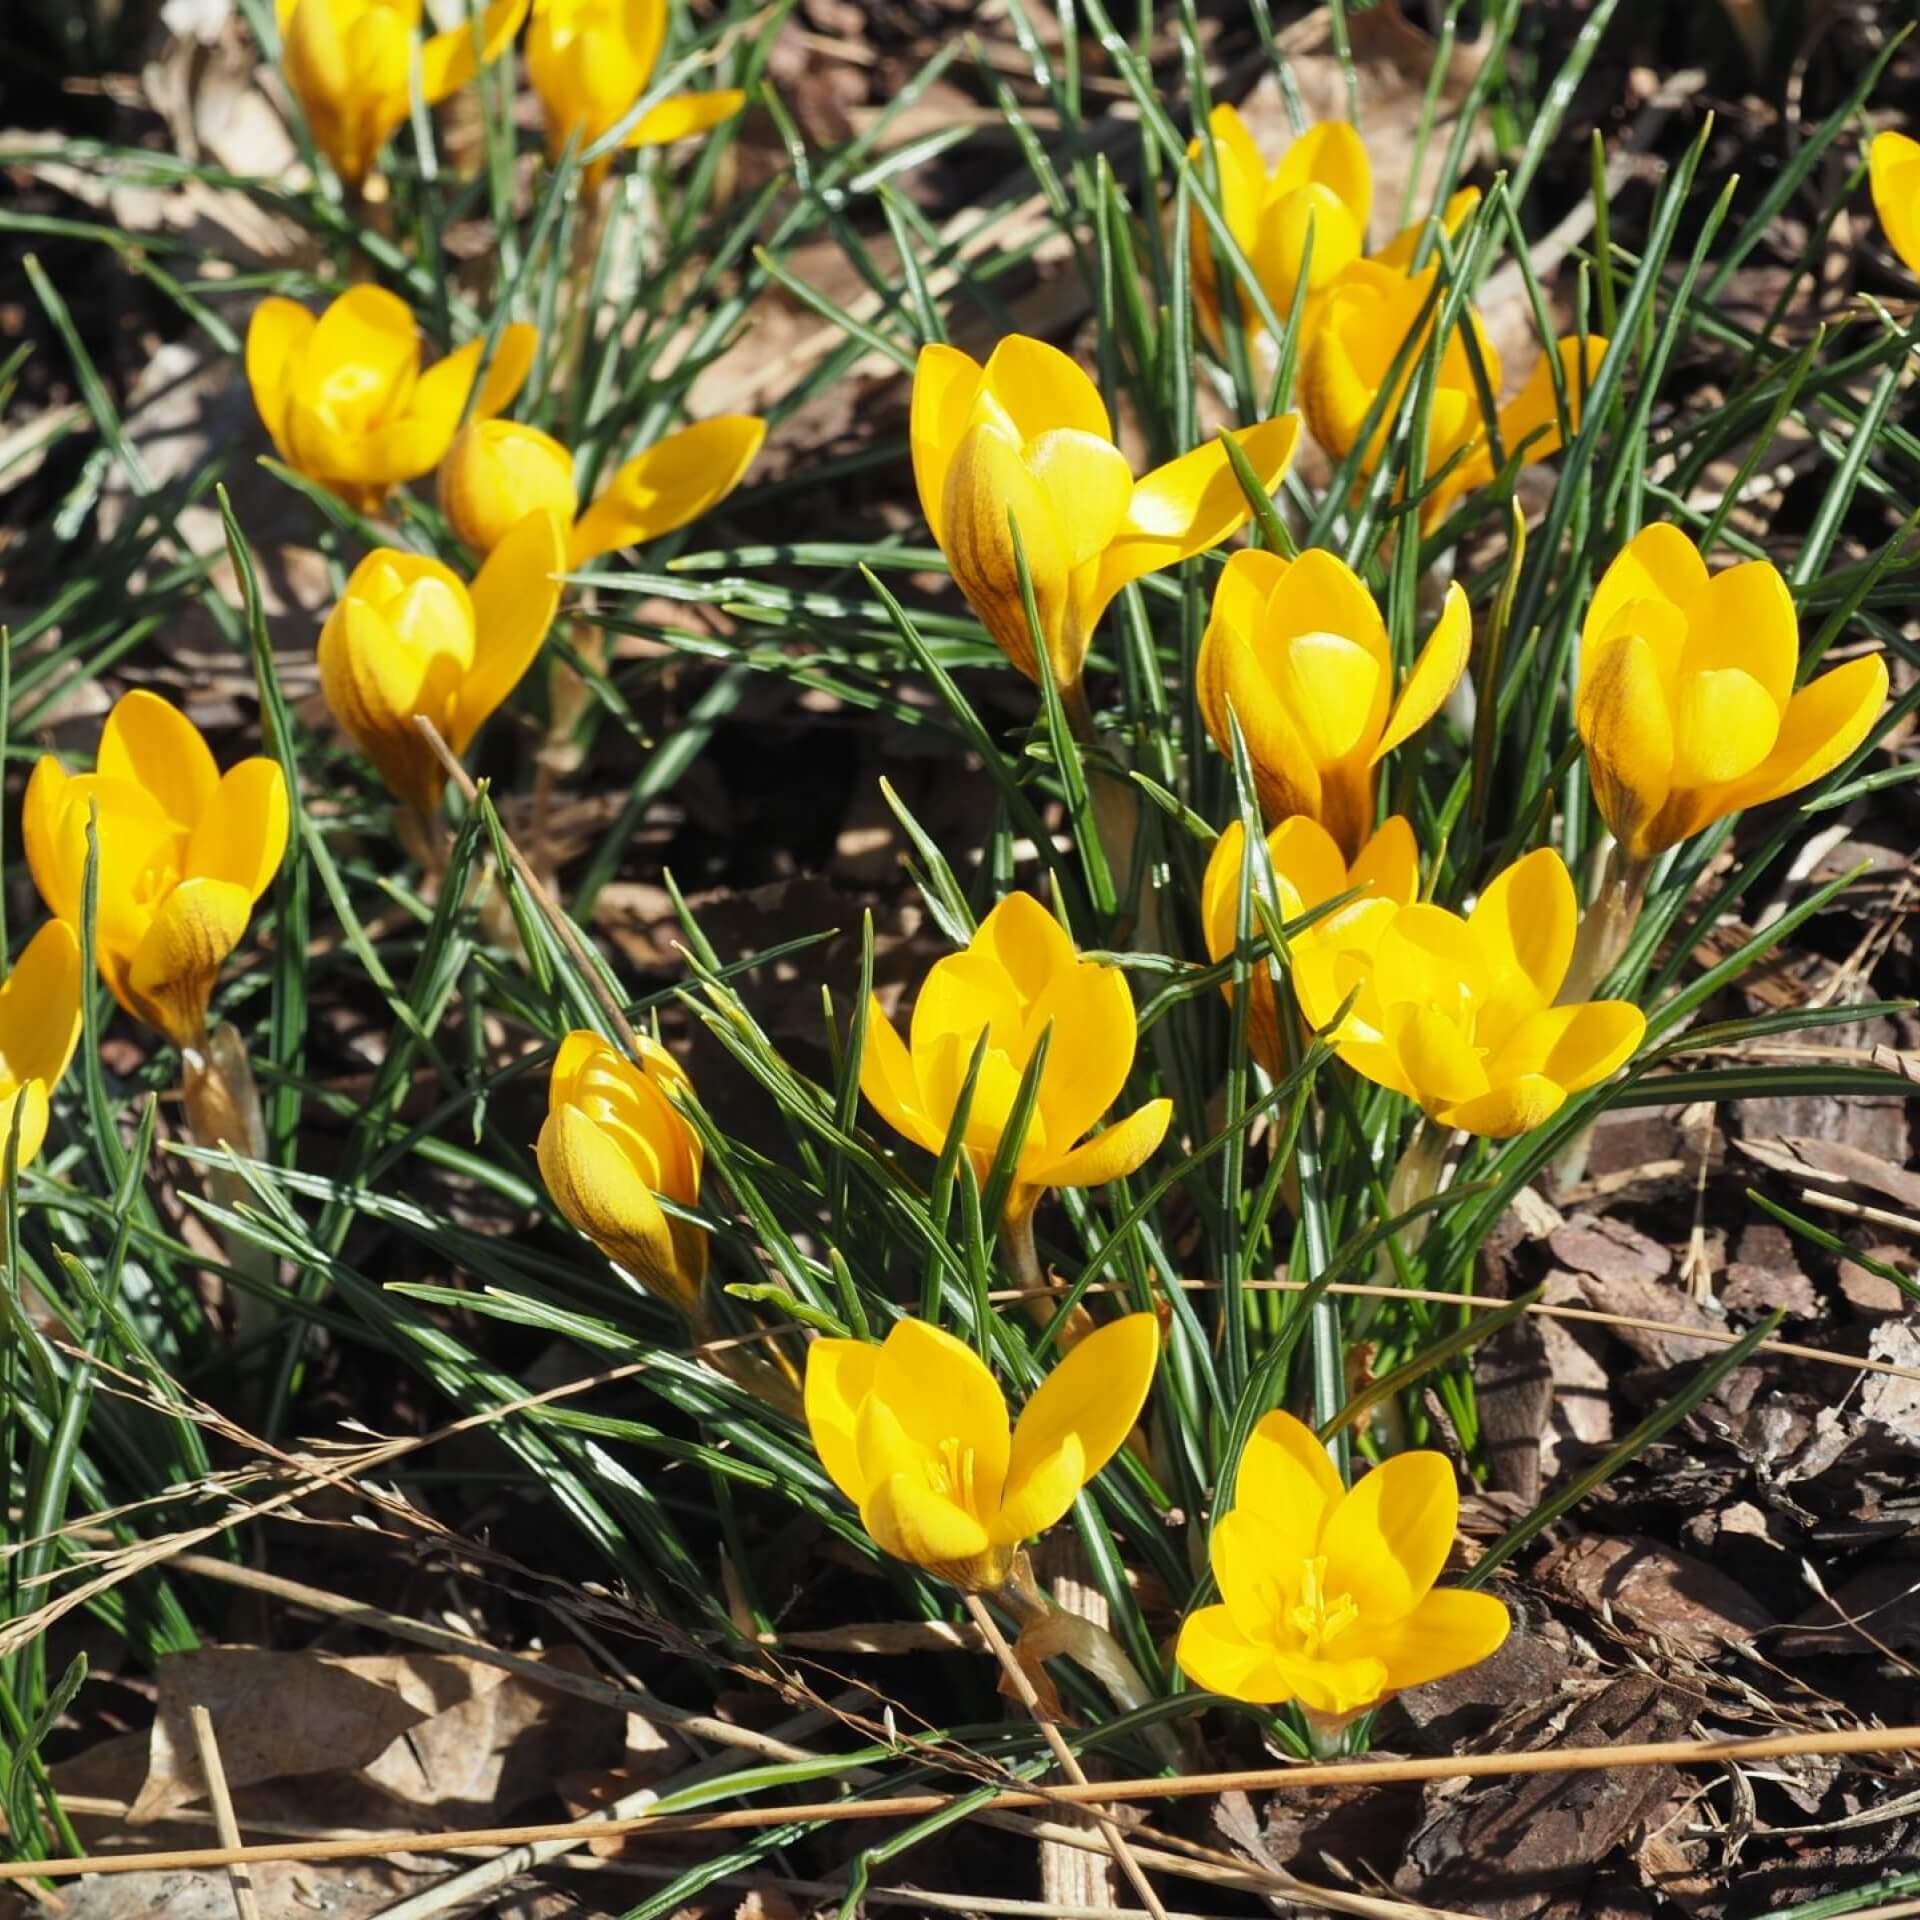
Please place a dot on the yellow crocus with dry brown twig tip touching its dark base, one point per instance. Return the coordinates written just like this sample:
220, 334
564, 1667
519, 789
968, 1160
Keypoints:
410, 638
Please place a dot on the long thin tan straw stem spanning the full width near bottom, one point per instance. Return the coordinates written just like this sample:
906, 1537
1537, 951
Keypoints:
919, 1806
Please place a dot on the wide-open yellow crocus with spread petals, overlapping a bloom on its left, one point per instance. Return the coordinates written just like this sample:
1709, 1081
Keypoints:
1458, 1013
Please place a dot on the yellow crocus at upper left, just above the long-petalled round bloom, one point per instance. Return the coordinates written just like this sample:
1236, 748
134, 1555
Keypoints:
345, 396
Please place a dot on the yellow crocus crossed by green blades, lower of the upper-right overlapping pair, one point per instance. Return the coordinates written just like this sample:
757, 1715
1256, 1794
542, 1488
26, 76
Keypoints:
1368, 318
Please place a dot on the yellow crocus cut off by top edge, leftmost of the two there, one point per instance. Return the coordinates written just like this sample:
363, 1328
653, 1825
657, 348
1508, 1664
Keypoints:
350, 66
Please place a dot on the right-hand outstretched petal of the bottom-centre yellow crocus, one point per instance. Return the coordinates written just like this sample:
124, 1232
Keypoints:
1076, 1422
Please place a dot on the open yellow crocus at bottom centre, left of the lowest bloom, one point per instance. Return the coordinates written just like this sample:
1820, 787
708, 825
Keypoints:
915, 1433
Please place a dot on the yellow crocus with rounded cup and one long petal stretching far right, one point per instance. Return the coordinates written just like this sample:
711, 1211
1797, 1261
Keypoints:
498, 471
